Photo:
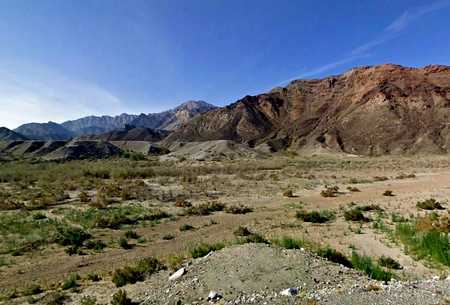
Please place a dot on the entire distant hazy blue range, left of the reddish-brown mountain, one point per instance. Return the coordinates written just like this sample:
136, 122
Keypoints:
96, 125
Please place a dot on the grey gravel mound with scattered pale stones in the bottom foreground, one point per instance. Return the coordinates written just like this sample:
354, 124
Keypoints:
262, 274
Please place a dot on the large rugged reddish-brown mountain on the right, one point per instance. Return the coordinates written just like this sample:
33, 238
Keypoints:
367, 110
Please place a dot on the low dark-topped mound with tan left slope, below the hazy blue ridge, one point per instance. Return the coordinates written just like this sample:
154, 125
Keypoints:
77, 150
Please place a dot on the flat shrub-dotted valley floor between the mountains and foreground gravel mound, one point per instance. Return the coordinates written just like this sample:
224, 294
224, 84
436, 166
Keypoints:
92, 217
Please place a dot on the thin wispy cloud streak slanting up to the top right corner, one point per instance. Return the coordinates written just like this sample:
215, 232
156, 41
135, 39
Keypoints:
395, 29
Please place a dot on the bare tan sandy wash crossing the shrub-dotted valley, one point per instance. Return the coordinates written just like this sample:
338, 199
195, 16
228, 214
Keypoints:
273, 217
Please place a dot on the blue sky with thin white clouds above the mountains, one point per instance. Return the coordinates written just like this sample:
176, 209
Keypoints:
66, 59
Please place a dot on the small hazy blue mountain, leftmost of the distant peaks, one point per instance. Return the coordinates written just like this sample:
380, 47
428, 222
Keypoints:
45, 131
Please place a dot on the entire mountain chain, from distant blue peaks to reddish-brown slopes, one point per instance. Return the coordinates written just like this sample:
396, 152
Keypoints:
371, 110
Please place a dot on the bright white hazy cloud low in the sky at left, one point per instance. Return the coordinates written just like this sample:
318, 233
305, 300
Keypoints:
39, 95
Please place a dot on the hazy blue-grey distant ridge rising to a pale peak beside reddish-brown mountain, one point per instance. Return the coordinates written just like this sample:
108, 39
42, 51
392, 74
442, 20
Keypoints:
168, 120
